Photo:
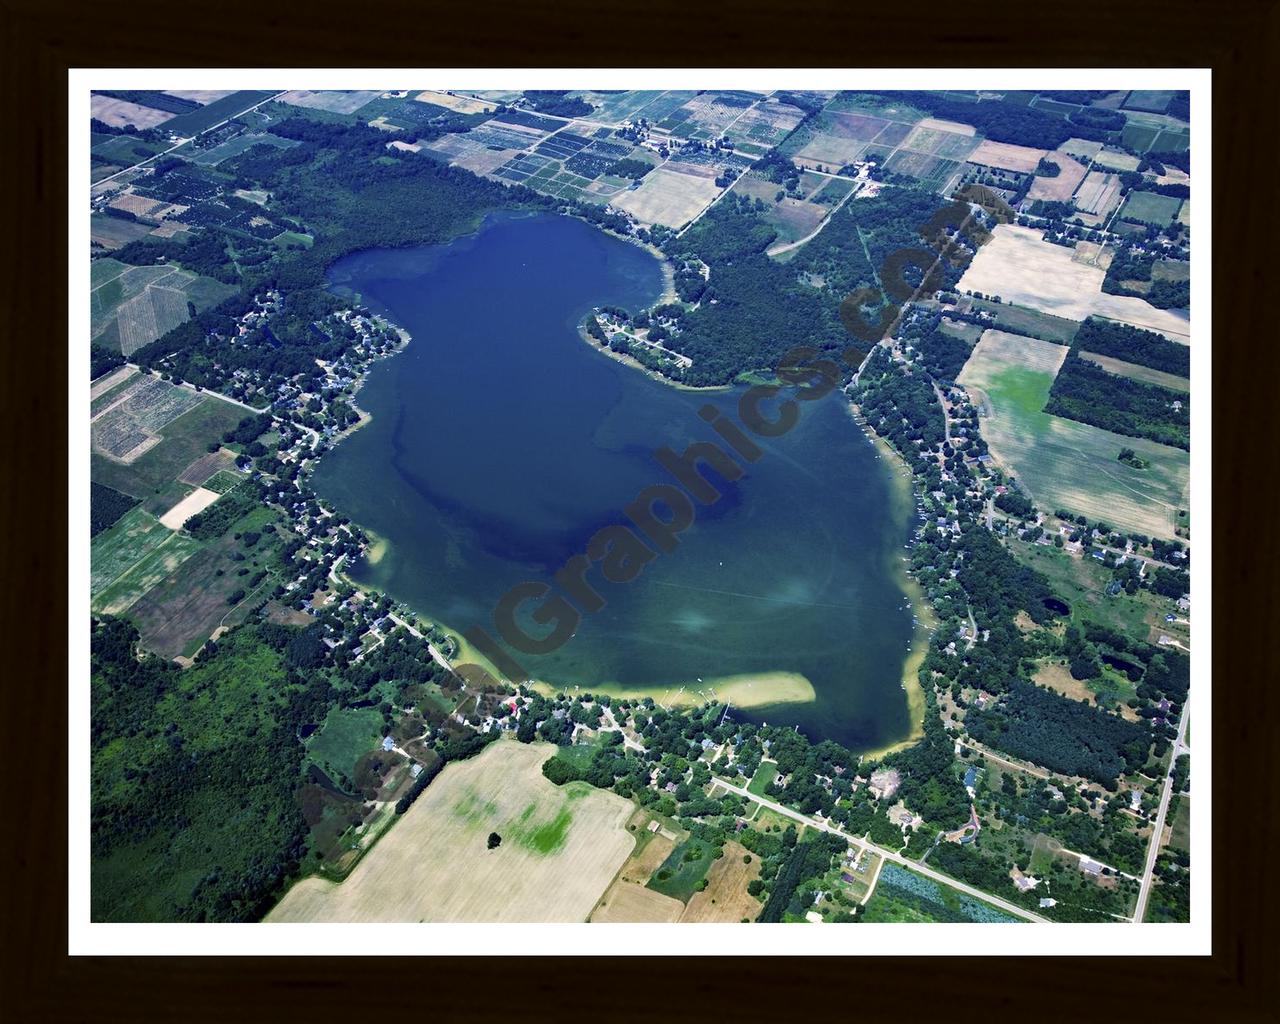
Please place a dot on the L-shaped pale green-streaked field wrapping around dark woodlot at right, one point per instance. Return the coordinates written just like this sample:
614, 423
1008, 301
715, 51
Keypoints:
1064, 464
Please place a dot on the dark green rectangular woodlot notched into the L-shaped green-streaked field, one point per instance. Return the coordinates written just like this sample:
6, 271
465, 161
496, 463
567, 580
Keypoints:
1087, 394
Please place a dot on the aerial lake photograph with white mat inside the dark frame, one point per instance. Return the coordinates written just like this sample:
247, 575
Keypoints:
742, 499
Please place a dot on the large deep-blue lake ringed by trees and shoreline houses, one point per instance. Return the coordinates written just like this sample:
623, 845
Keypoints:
501, 442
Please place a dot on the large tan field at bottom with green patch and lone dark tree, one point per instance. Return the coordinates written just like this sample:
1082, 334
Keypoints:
561, 849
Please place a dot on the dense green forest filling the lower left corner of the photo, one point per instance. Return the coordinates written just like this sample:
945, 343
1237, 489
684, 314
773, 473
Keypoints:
193, 780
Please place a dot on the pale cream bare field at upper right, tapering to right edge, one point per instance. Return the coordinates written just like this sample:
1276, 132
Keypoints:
1022, 268
